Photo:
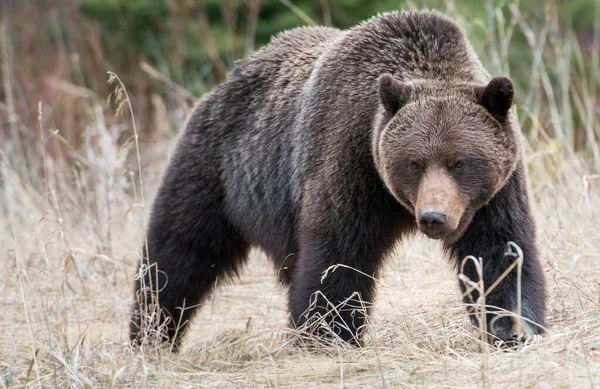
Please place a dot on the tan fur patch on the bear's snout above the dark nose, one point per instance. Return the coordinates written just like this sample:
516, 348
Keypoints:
438, 192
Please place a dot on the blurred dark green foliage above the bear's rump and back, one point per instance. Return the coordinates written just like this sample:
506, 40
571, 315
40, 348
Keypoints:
174, 37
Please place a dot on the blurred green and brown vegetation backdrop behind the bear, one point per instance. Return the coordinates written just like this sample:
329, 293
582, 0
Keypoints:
169, 52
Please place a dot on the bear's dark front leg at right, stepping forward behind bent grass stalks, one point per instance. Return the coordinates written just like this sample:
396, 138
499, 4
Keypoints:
506, 218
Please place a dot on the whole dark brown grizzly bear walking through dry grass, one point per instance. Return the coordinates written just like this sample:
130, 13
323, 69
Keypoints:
327, 147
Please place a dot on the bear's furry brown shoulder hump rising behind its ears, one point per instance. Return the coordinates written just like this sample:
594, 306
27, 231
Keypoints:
412, 45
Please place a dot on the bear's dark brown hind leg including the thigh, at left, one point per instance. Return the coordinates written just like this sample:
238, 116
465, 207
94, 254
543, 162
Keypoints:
191, 247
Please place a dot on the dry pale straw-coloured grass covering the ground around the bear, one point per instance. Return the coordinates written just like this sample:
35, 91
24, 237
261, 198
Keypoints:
71, 230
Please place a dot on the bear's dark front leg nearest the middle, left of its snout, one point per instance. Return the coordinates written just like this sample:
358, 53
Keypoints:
342, 247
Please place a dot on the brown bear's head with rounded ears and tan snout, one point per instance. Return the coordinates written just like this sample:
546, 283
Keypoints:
444, 149
